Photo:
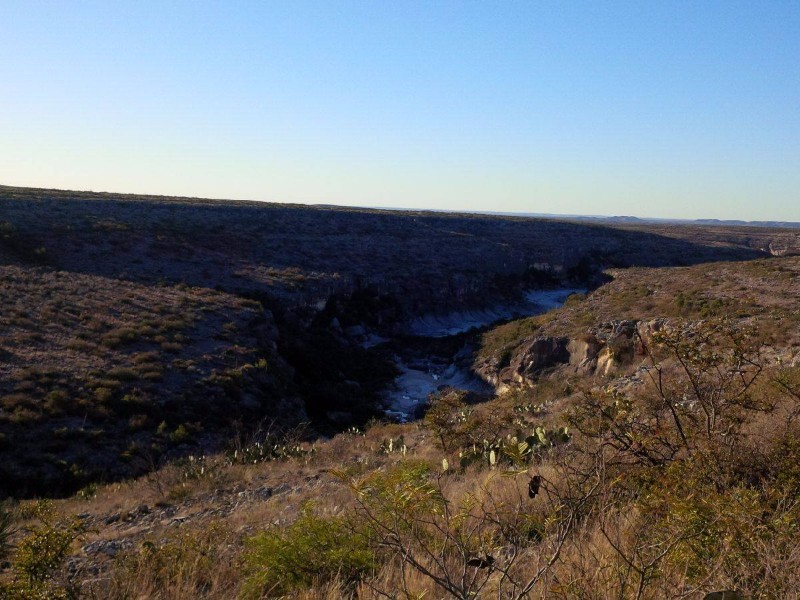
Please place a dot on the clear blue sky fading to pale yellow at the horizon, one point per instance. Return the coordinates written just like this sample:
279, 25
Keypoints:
667, 109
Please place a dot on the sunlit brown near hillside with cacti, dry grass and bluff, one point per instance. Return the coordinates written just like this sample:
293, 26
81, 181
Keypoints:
676, 475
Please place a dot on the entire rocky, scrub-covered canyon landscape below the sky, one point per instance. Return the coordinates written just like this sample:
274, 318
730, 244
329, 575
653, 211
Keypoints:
200, 388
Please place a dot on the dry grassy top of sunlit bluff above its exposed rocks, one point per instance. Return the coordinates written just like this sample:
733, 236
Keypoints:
761, 295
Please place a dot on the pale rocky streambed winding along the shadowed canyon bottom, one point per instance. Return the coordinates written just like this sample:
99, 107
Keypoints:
423, 376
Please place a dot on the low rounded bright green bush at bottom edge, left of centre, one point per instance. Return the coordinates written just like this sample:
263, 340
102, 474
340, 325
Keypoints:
310, 550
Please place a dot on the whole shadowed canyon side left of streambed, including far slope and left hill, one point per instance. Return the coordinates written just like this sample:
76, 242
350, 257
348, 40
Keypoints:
136, 329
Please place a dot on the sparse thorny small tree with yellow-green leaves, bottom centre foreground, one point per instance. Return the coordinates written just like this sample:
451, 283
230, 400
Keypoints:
480, 541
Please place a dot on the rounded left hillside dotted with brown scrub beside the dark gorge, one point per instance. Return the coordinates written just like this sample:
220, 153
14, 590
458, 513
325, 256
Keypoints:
86, 377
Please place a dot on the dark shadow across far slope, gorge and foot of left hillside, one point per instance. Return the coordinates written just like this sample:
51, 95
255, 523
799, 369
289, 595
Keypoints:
321, 271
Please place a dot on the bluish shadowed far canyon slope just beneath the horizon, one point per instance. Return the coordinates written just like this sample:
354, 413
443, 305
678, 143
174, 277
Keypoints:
301, 254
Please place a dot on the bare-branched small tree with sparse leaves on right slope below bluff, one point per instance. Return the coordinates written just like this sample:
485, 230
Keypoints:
701, 377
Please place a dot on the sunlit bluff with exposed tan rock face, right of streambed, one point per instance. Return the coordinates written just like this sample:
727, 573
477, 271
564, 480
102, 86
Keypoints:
607, 331
